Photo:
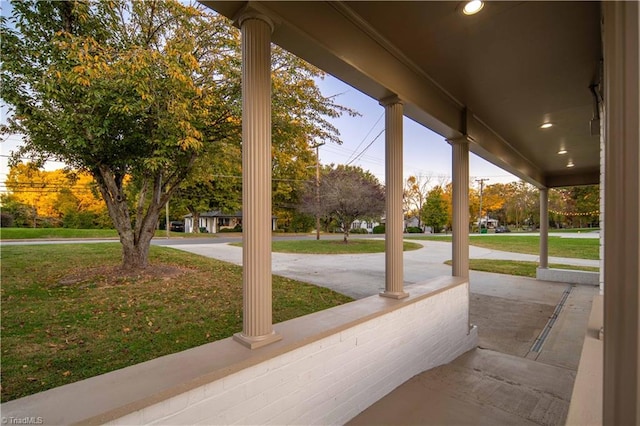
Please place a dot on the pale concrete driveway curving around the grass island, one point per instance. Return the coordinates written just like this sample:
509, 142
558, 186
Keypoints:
362, 275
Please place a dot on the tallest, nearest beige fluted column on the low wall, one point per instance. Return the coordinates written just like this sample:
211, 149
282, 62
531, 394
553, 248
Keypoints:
257, 327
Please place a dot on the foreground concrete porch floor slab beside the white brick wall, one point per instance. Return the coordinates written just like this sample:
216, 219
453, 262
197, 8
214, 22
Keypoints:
482, 387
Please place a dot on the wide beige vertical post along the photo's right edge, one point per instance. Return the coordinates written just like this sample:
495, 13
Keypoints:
621, 30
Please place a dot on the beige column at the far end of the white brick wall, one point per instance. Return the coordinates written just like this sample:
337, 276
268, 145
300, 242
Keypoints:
460, 239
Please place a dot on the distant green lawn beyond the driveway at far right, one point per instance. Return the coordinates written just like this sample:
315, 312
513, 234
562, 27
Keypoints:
580, 248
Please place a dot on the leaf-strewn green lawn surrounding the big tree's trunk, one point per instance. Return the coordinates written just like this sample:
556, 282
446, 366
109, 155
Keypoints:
66, 318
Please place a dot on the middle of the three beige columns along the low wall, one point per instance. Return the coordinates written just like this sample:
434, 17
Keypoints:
394, 214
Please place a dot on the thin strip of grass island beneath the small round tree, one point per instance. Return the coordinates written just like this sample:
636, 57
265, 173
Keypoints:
333, 246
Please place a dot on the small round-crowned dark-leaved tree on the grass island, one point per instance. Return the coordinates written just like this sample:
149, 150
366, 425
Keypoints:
345, 193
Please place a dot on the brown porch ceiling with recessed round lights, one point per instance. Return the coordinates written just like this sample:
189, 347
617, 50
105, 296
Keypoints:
495, 76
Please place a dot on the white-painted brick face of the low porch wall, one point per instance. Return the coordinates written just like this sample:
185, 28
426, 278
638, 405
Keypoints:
331, 380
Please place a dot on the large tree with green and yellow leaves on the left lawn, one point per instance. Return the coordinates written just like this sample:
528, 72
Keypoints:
134, 93
